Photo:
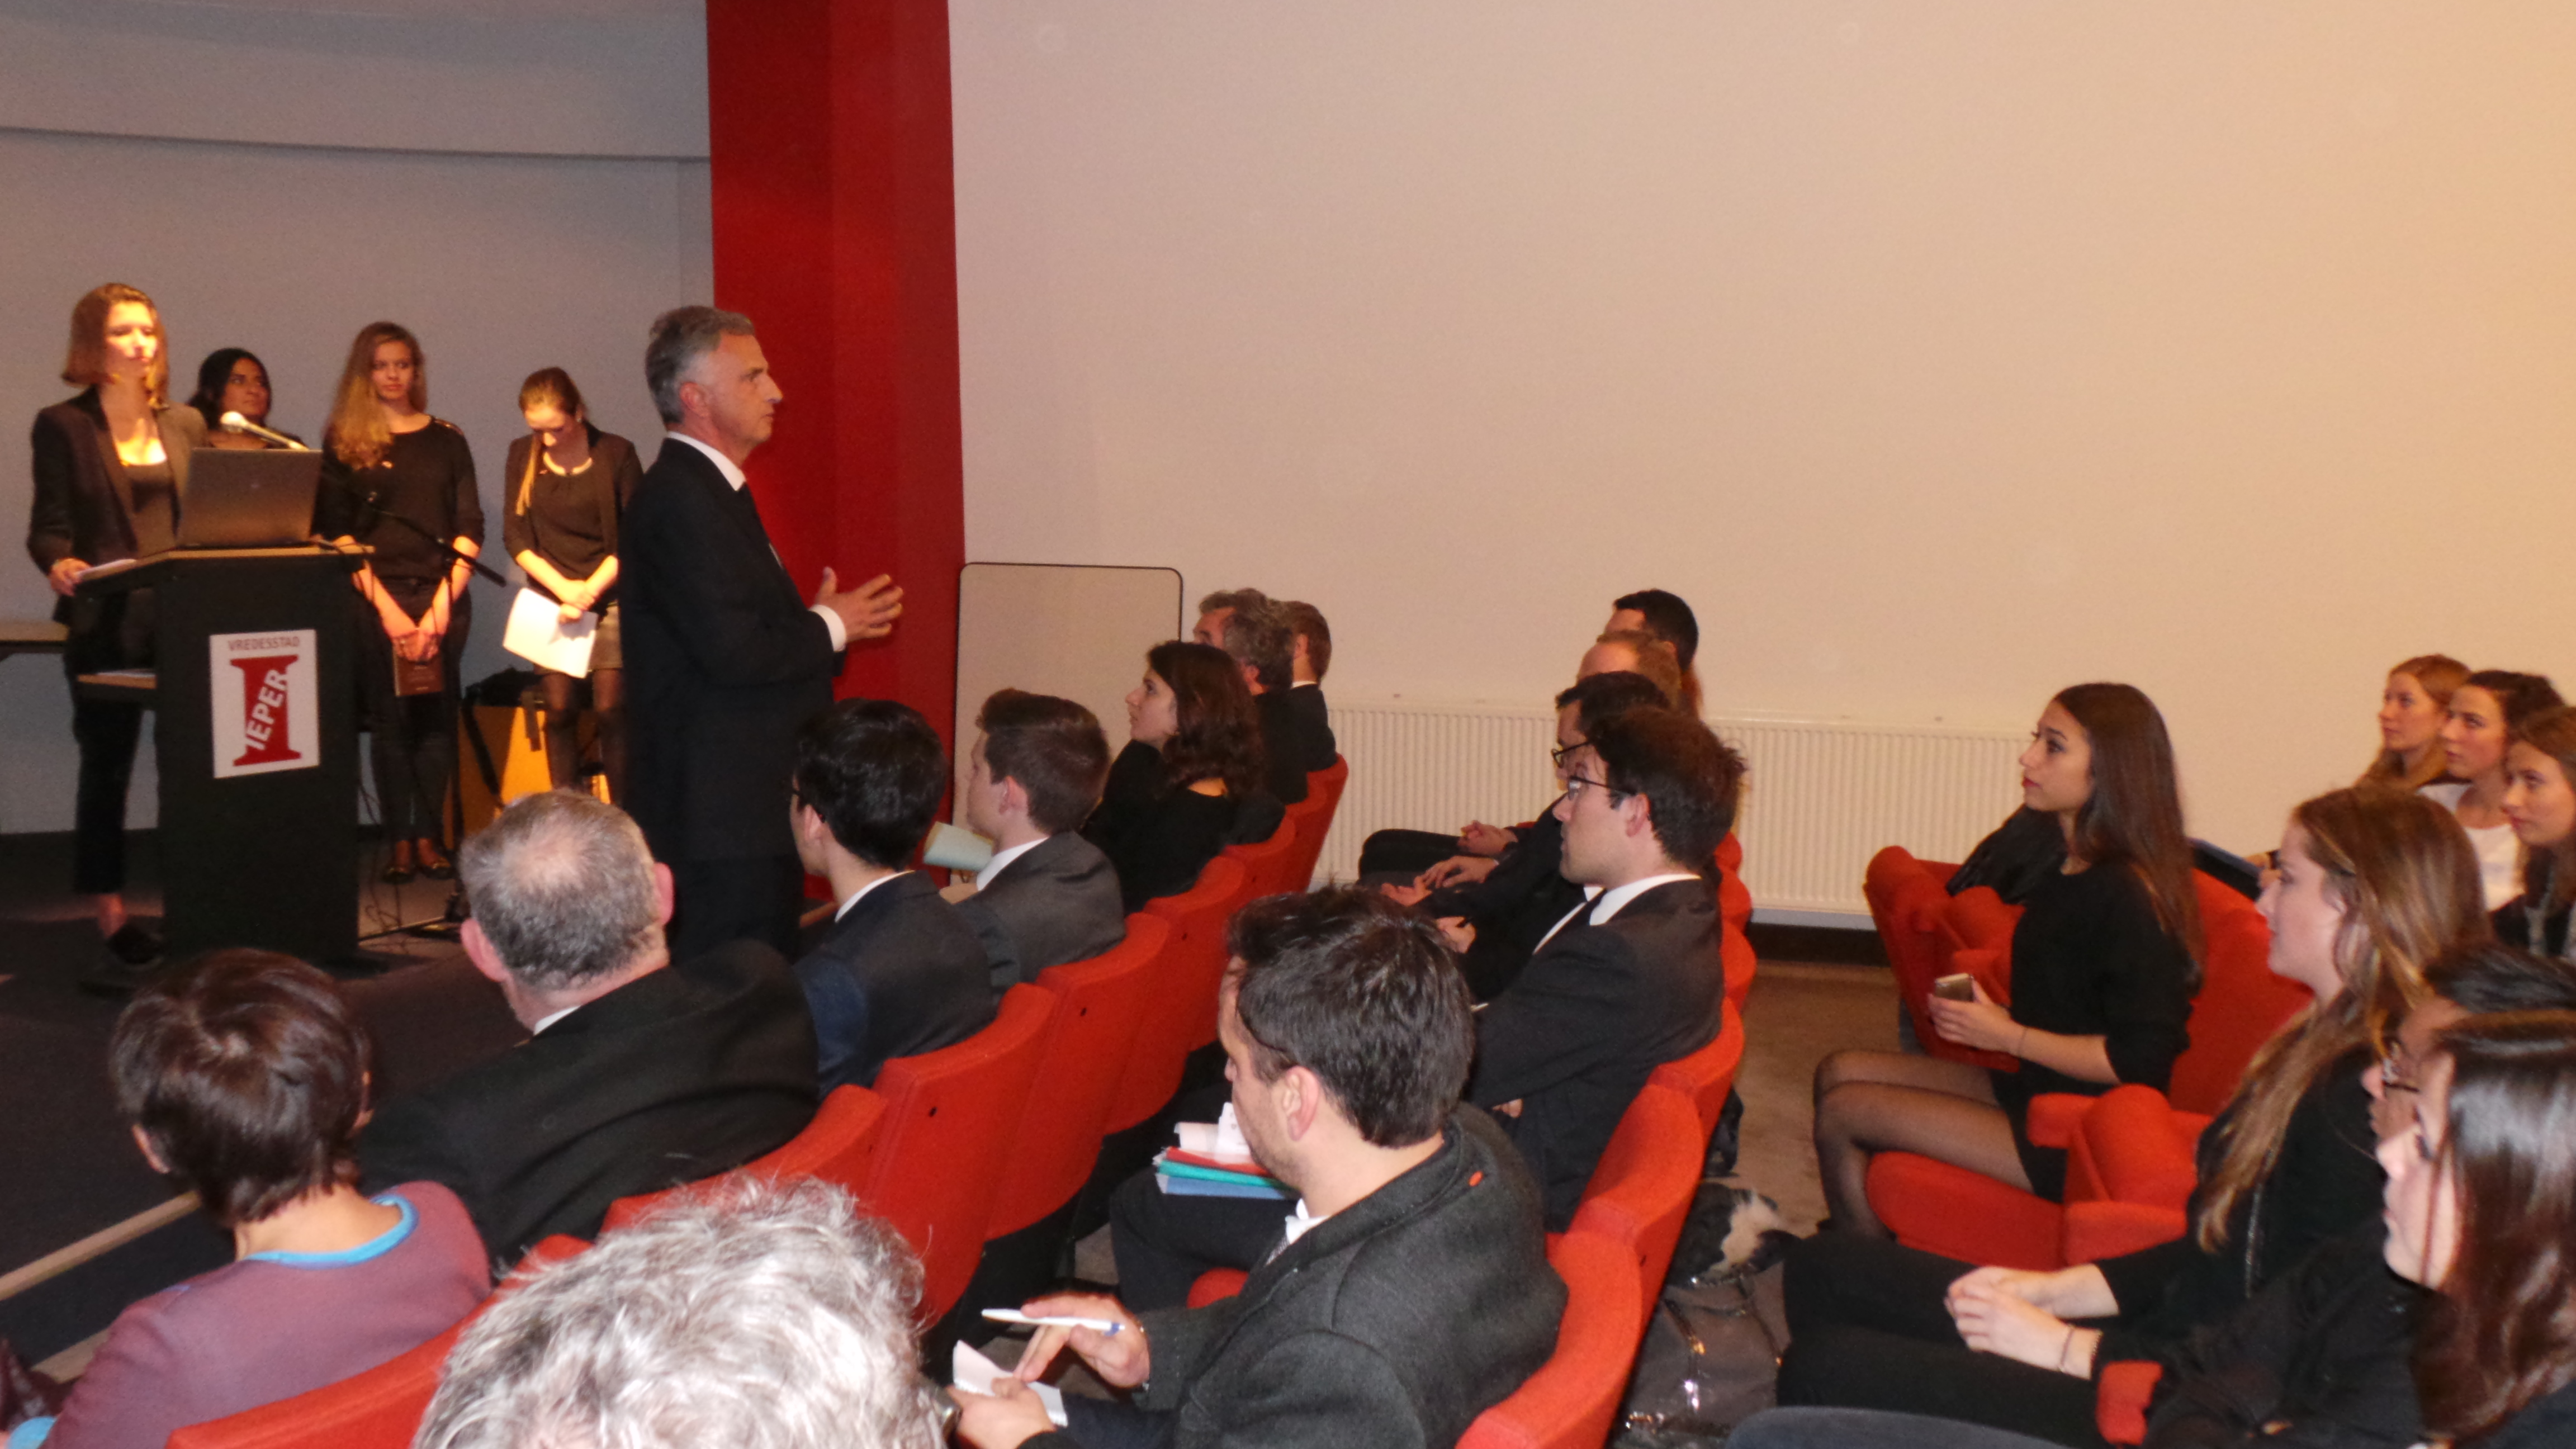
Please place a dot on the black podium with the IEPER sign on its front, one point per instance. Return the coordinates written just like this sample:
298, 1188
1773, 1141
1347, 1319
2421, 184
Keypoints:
256, 731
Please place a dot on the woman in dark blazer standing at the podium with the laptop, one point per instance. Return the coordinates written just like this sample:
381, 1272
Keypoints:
112, 468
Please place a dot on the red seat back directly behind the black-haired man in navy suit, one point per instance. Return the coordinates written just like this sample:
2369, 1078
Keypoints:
949, 1128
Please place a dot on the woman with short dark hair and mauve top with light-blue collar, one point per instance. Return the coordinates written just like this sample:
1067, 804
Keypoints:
246, 1079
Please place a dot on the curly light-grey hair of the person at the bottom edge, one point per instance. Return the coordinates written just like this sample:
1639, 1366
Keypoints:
756, 1316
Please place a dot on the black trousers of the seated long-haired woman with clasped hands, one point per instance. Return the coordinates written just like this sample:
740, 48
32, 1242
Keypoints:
1871, 1329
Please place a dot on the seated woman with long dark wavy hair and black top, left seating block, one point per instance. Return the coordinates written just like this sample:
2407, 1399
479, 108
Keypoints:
1191, 780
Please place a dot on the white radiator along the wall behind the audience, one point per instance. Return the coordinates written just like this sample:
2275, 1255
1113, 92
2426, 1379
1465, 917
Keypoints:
1820, 798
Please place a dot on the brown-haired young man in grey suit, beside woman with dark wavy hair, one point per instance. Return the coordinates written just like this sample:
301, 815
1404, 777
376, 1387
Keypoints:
1047, 896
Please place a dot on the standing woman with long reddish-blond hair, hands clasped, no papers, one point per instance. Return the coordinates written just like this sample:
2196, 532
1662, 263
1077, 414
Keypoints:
403, 483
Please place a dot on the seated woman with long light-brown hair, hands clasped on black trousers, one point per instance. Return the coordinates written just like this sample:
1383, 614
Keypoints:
2374, 886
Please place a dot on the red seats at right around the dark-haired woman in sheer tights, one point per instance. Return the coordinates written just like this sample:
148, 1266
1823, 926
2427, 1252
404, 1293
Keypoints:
2129, 1151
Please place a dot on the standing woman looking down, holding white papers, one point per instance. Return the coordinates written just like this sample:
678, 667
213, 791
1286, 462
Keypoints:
568, 486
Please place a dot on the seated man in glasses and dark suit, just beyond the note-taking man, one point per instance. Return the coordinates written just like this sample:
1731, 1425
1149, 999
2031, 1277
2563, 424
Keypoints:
1629, 978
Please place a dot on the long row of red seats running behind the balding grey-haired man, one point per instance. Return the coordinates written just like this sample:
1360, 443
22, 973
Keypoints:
954, 1146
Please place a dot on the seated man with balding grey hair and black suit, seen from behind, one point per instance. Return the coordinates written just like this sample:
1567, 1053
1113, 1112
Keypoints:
640, 1074
